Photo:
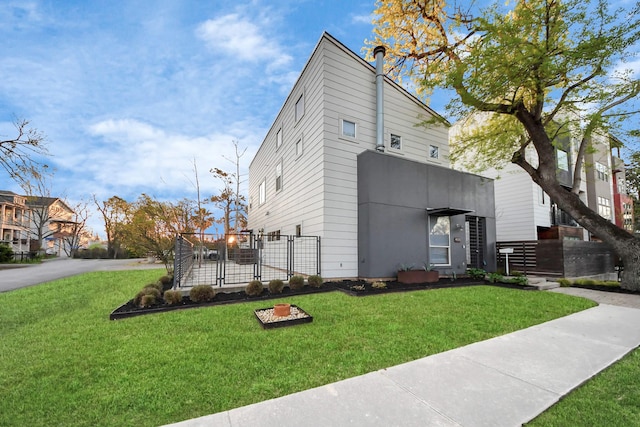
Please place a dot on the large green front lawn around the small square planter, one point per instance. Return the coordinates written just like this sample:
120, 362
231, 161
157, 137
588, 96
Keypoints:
65, 363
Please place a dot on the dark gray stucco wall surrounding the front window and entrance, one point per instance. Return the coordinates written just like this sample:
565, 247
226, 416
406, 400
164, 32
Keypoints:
393, 195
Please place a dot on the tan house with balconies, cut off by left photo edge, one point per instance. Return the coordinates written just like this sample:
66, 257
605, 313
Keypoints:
14, 221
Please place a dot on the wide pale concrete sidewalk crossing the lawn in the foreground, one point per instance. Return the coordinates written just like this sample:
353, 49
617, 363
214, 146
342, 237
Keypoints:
504, 381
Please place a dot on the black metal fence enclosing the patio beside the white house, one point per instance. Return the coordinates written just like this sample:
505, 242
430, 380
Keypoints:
242, 257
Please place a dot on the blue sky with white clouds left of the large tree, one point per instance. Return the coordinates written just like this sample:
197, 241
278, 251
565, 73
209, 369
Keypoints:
130, 92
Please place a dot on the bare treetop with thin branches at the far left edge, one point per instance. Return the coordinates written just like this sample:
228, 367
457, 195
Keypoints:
18, 155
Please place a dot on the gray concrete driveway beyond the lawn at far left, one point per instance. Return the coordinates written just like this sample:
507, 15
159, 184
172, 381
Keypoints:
15, 276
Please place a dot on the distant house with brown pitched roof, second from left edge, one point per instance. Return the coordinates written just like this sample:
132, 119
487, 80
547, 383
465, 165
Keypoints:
51, 224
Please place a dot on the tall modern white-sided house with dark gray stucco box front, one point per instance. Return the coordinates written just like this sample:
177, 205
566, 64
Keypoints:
347, 160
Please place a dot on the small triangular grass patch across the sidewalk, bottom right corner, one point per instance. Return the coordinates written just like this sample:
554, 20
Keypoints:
611, 398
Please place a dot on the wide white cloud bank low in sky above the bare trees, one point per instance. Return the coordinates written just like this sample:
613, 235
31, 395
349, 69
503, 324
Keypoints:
143, 158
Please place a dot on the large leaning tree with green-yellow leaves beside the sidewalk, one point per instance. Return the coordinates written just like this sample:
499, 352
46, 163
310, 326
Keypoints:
526, 72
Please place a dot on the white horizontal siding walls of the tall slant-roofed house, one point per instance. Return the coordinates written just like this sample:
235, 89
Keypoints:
320, 187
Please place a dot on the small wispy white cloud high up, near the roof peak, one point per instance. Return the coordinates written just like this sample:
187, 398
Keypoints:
242, 39
